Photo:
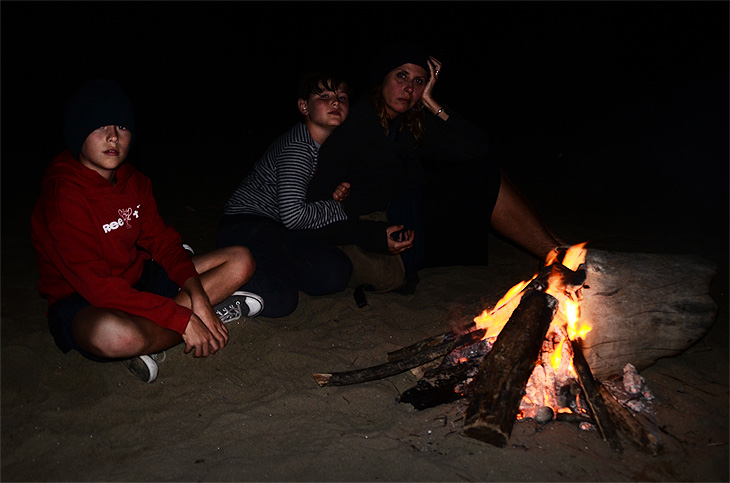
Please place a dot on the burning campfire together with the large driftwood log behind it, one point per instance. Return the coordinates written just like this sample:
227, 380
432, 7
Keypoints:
535, 353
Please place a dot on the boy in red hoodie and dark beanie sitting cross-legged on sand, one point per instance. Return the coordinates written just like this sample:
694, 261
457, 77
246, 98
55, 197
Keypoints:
119, 283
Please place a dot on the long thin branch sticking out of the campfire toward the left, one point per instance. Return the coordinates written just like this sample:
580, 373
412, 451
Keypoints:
396, 367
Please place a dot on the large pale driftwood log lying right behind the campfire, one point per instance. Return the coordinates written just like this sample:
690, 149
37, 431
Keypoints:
643, 307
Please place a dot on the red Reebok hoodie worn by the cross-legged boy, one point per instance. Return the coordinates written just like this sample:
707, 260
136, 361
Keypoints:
93, 237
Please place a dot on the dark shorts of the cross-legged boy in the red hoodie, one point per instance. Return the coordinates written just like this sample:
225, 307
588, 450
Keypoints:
61, 314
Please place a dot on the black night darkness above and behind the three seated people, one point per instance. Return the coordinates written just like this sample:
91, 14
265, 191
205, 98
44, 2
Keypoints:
627, 96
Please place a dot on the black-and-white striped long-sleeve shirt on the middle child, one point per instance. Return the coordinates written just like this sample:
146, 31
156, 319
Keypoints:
277, 186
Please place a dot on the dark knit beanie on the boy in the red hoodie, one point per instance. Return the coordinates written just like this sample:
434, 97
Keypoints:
98, 103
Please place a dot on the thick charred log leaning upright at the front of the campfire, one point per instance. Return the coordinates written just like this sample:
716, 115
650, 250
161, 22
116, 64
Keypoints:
505, 370
